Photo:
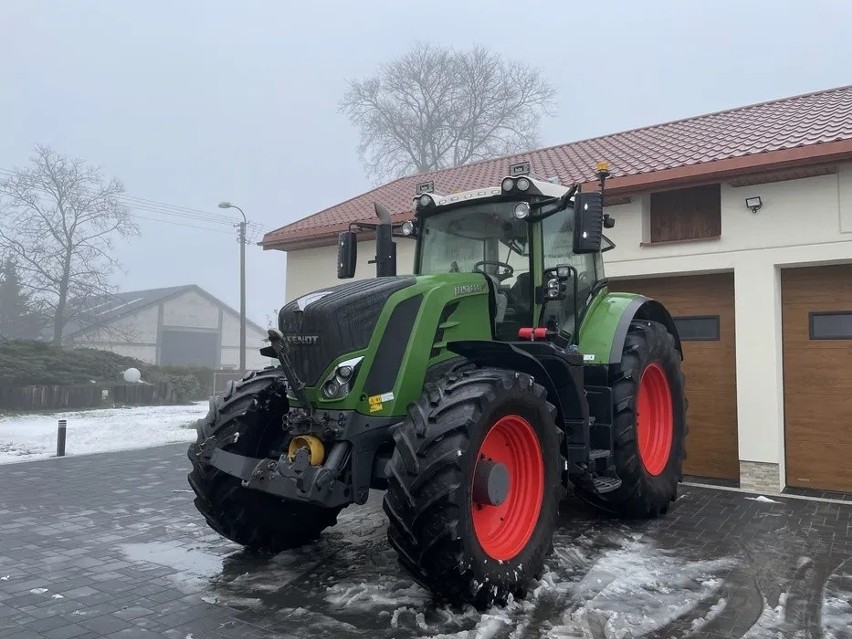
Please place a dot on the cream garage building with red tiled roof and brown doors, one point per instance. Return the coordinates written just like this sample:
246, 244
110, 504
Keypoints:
740, 222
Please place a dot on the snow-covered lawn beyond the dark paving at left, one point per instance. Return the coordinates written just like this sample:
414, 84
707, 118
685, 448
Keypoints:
27, 437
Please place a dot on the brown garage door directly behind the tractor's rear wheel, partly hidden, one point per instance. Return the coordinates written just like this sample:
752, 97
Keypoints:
703, 308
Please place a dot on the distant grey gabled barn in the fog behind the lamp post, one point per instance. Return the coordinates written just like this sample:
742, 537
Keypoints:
178, 326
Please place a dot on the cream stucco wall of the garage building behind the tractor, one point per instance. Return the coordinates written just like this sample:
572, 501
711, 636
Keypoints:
803, 222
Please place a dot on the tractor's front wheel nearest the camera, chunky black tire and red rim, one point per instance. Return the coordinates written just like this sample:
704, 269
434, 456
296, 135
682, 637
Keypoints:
461, 550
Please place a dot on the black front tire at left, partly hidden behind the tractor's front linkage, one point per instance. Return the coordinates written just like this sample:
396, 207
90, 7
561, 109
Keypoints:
251, 411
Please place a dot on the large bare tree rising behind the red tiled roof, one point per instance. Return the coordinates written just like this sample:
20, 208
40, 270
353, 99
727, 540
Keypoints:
436, 107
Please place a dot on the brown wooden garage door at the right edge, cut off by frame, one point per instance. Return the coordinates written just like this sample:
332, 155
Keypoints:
817, 316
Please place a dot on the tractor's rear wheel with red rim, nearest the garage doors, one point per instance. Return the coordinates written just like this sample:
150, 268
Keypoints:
649, 428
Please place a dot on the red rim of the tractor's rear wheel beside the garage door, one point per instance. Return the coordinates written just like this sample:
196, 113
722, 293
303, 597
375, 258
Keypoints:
654, 422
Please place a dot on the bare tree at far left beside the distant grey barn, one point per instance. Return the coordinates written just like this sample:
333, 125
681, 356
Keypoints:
59, 218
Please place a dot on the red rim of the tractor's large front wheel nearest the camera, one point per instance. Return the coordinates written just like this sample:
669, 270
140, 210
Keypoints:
504, 530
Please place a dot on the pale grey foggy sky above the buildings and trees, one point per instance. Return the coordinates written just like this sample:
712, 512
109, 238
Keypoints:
190, 103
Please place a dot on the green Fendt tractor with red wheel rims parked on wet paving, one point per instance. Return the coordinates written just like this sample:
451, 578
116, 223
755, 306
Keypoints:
473, 392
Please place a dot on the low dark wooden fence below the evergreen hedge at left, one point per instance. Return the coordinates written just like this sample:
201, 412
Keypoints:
84, 396
